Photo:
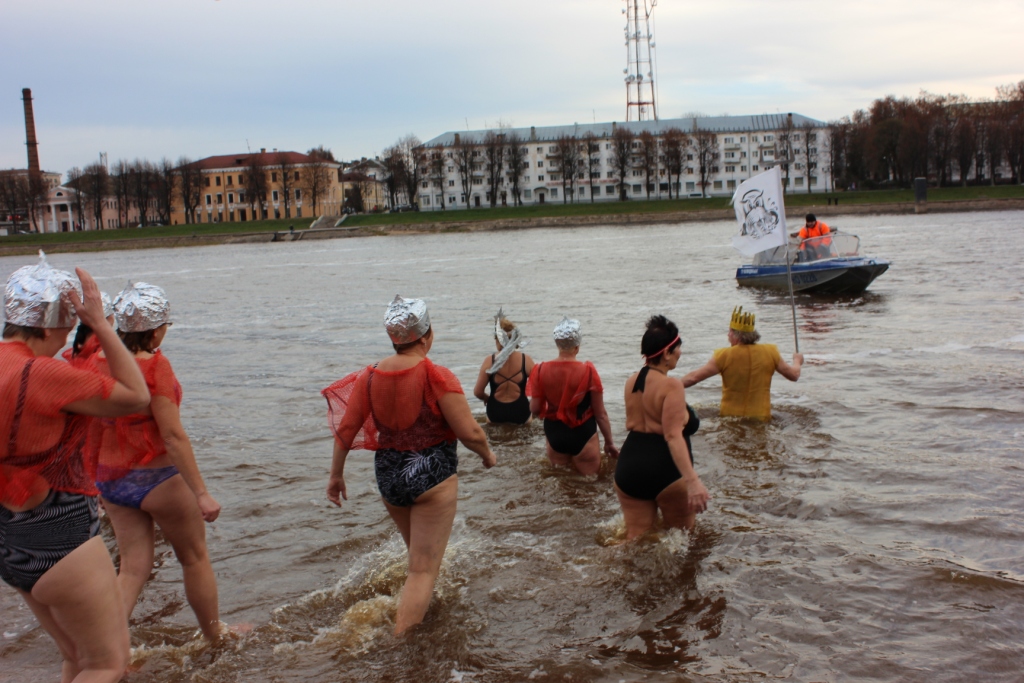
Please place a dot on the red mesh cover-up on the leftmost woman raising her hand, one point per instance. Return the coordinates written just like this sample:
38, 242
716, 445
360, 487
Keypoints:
41, 447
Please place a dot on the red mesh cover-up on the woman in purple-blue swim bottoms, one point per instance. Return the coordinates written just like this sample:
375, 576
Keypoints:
135, 441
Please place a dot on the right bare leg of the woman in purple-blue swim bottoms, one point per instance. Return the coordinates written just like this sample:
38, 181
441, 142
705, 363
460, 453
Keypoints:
174, 507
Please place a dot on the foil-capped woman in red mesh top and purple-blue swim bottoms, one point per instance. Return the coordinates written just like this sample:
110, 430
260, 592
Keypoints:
147, 472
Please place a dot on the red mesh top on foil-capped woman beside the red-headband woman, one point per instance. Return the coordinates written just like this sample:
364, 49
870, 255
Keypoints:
564, 386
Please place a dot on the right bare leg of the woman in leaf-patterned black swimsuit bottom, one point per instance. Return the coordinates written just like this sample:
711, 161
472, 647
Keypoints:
431, 526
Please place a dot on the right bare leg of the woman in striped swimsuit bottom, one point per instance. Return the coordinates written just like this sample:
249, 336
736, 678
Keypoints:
78, 604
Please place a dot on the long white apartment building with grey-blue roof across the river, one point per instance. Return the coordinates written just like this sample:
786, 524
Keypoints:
744, 146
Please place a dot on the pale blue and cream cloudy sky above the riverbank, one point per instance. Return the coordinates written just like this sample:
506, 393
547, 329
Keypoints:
151, 79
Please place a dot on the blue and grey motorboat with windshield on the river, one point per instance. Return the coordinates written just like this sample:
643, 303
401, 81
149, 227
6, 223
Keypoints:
829, 265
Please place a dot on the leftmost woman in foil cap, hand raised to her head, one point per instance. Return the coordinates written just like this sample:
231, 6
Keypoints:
51, 548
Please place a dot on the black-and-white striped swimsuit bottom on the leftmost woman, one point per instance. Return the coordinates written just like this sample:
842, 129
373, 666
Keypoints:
34, 541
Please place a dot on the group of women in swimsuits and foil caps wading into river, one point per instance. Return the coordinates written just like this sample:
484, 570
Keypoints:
106, 421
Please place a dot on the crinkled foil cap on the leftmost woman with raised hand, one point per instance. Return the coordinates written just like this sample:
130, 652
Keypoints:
36, 296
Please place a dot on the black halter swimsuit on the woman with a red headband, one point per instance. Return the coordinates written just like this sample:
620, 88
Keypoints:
646, 467
